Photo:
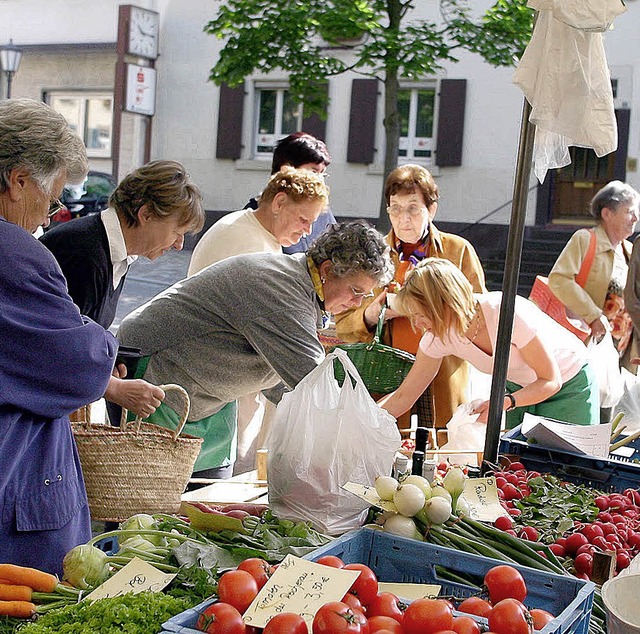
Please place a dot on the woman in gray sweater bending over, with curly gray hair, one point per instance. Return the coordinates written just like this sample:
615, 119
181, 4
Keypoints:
249, 323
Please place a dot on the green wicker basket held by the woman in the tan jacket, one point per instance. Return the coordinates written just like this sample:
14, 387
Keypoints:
381, 367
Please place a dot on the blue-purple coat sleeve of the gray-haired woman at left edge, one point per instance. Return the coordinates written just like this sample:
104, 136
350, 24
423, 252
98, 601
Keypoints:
52, 360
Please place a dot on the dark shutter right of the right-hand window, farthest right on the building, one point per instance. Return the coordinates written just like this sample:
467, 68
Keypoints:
451, 107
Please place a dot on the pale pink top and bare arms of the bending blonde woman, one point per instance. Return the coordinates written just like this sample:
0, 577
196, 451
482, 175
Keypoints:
568, 351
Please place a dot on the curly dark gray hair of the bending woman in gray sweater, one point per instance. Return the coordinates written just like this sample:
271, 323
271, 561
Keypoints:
352, 248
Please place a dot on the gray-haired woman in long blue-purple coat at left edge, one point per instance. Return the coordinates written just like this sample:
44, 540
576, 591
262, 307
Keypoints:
52, 360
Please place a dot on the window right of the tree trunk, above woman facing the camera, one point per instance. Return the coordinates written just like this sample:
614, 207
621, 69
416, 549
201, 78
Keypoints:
416, 107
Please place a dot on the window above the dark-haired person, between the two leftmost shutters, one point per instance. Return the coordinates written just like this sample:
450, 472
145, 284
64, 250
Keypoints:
276, 116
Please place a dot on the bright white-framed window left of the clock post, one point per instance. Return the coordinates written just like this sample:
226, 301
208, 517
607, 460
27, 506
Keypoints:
90, 115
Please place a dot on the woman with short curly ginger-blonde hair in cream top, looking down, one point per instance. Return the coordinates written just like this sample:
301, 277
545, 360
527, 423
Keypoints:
289, 204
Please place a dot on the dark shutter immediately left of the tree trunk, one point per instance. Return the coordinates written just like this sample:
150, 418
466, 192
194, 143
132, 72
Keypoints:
362, 121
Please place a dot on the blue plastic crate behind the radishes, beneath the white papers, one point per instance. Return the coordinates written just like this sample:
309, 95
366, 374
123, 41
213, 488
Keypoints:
613, 474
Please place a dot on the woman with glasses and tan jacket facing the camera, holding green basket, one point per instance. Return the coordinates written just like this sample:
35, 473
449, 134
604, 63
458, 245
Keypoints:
412, 198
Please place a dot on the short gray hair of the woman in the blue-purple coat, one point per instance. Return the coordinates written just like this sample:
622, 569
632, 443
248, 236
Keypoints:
35, 137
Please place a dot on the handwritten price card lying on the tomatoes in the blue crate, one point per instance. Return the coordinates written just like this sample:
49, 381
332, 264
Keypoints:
299, 586
